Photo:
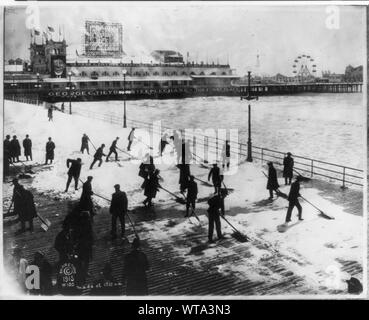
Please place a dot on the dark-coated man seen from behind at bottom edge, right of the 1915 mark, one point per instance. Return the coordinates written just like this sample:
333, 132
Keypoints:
135, 267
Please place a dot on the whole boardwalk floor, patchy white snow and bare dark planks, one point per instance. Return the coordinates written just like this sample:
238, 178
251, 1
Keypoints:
301, 261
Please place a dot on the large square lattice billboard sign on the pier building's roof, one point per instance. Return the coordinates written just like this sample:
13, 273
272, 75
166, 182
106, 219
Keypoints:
103, 39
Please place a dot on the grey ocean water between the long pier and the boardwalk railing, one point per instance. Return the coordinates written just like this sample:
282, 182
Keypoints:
328, 127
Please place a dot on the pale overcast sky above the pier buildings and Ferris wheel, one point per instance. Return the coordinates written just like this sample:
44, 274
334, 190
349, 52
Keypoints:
278, 34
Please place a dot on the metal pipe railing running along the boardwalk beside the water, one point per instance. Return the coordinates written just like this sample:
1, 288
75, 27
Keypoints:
303, 165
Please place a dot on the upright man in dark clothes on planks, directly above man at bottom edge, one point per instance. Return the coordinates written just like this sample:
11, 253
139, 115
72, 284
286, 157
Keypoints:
118, 209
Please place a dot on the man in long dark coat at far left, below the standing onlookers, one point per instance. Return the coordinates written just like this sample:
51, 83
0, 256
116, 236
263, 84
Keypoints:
24, 206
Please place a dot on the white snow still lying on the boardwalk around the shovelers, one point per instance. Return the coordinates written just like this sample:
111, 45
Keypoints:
312, 246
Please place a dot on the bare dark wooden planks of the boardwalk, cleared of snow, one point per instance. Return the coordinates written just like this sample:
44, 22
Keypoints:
171, 274
